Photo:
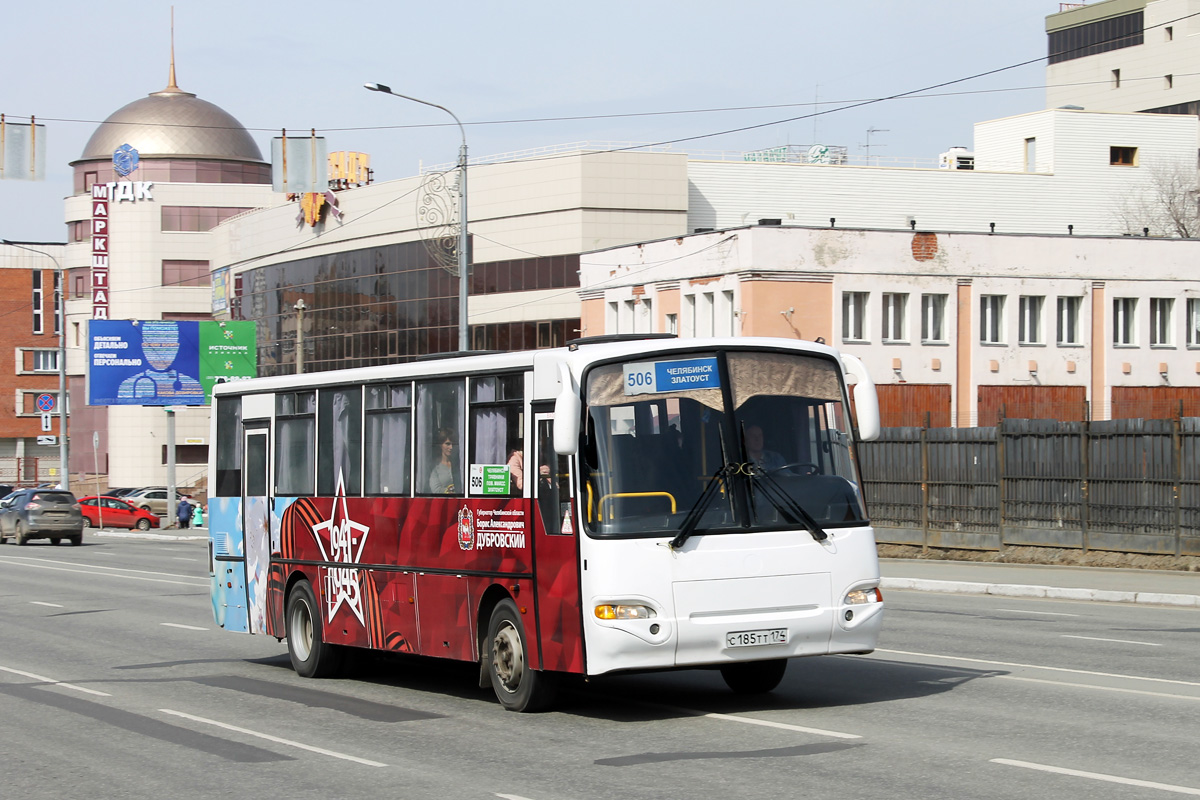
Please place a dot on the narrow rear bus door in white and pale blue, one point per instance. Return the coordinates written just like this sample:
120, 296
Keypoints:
256, 524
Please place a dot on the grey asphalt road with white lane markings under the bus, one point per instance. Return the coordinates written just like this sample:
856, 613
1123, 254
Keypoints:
115, 682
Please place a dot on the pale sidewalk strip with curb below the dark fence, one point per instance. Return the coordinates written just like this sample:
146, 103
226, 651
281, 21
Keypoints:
1150, 587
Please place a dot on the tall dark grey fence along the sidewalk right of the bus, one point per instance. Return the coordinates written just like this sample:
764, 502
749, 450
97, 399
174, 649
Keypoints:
1130, 486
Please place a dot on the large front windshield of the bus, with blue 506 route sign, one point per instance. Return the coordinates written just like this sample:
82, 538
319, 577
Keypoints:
761, 431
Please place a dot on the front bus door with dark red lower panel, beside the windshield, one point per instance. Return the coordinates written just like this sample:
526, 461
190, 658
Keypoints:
556, 551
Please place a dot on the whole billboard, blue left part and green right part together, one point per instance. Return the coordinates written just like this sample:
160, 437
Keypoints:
166, 363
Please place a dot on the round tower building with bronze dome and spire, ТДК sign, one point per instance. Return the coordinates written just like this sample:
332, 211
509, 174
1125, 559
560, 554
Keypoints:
172, 167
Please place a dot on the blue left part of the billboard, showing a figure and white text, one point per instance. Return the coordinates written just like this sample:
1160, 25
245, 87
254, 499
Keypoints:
145, 363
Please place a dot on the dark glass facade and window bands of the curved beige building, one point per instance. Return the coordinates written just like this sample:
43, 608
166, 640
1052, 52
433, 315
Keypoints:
388, 304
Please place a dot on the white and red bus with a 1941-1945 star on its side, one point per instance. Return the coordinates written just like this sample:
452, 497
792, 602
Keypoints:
613, 506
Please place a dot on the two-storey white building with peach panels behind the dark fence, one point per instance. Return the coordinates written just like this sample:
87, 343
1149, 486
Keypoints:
957, 329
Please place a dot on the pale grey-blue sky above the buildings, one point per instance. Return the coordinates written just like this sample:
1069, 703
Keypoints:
515, 76
